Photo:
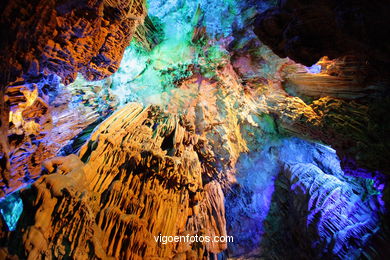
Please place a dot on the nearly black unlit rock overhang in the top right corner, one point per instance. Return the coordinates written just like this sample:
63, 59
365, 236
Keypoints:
305, 31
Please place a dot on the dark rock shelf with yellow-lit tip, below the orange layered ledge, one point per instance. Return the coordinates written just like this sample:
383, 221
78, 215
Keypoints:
356, 130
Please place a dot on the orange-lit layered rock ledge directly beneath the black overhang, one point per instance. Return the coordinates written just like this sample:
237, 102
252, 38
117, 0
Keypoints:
345, 78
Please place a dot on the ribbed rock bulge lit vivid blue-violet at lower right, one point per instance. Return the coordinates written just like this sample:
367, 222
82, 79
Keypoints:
318, 204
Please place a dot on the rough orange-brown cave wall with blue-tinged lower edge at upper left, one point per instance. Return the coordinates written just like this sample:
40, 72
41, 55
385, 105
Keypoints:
63, 38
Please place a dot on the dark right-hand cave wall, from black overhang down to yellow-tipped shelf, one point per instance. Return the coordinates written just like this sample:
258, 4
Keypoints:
349, 94
